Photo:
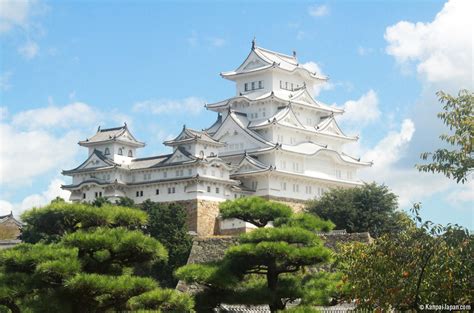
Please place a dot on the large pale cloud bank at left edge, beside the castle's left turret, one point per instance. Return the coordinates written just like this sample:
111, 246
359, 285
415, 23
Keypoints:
37, 141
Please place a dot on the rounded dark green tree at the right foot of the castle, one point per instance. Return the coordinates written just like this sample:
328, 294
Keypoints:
370, 207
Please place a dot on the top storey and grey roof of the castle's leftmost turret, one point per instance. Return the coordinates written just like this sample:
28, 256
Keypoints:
116, 143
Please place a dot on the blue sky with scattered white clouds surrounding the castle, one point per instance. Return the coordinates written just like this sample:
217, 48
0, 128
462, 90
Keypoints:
67, 67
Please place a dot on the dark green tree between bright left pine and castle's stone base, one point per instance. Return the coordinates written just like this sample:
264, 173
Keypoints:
167, 223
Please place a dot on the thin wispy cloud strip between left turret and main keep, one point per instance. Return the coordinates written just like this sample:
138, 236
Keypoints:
192, 105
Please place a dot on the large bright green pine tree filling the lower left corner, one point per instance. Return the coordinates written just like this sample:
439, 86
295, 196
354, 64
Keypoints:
83, 260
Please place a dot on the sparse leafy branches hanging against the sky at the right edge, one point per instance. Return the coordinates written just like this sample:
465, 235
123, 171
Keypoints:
458, 116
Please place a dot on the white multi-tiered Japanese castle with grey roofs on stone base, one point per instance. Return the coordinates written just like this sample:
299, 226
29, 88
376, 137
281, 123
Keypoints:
272, 139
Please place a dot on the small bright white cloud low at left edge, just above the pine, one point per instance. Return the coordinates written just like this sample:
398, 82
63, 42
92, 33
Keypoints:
36, 200
